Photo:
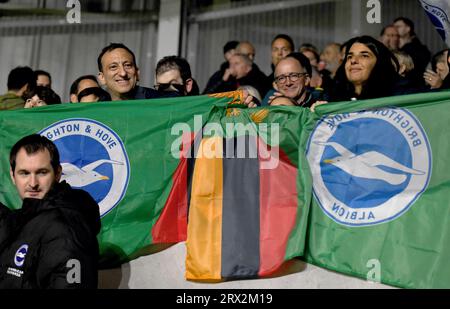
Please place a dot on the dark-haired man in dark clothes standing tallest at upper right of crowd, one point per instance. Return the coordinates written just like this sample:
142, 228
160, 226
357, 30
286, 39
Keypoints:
410, 44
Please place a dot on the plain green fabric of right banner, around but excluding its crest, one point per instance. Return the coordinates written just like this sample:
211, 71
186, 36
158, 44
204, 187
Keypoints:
413, 250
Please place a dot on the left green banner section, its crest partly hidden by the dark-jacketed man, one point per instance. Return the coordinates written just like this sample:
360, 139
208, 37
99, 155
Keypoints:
120, 152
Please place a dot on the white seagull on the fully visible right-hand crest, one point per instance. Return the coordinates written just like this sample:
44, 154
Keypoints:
367, 165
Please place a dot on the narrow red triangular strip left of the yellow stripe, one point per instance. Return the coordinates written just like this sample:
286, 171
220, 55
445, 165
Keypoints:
171, 225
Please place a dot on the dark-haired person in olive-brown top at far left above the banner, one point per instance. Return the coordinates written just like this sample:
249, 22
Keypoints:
20, 80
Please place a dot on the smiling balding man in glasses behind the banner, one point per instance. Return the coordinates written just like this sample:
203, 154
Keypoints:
292, 78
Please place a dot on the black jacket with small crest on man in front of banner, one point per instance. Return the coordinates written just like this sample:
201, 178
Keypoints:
41, 243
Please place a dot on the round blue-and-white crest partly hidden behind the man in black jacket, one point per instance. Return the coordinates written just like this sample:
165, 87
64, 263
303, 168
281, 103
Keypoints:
93, 158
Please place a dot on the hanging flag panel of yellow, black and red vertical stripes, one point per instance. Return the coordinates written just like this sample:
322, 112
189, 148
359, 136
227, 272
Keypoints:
241, 214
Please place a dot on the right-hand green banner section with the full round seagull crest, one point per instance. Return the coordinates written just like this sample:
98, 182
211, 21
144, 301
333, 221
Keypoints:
381, 189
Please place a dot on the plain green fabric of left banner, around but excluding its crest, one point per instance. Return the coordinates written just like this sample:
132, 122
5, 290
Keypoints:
145, 129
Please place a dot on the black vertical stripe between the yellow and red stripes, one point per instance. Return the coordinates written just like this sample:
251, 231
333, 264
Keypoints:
240, 210
